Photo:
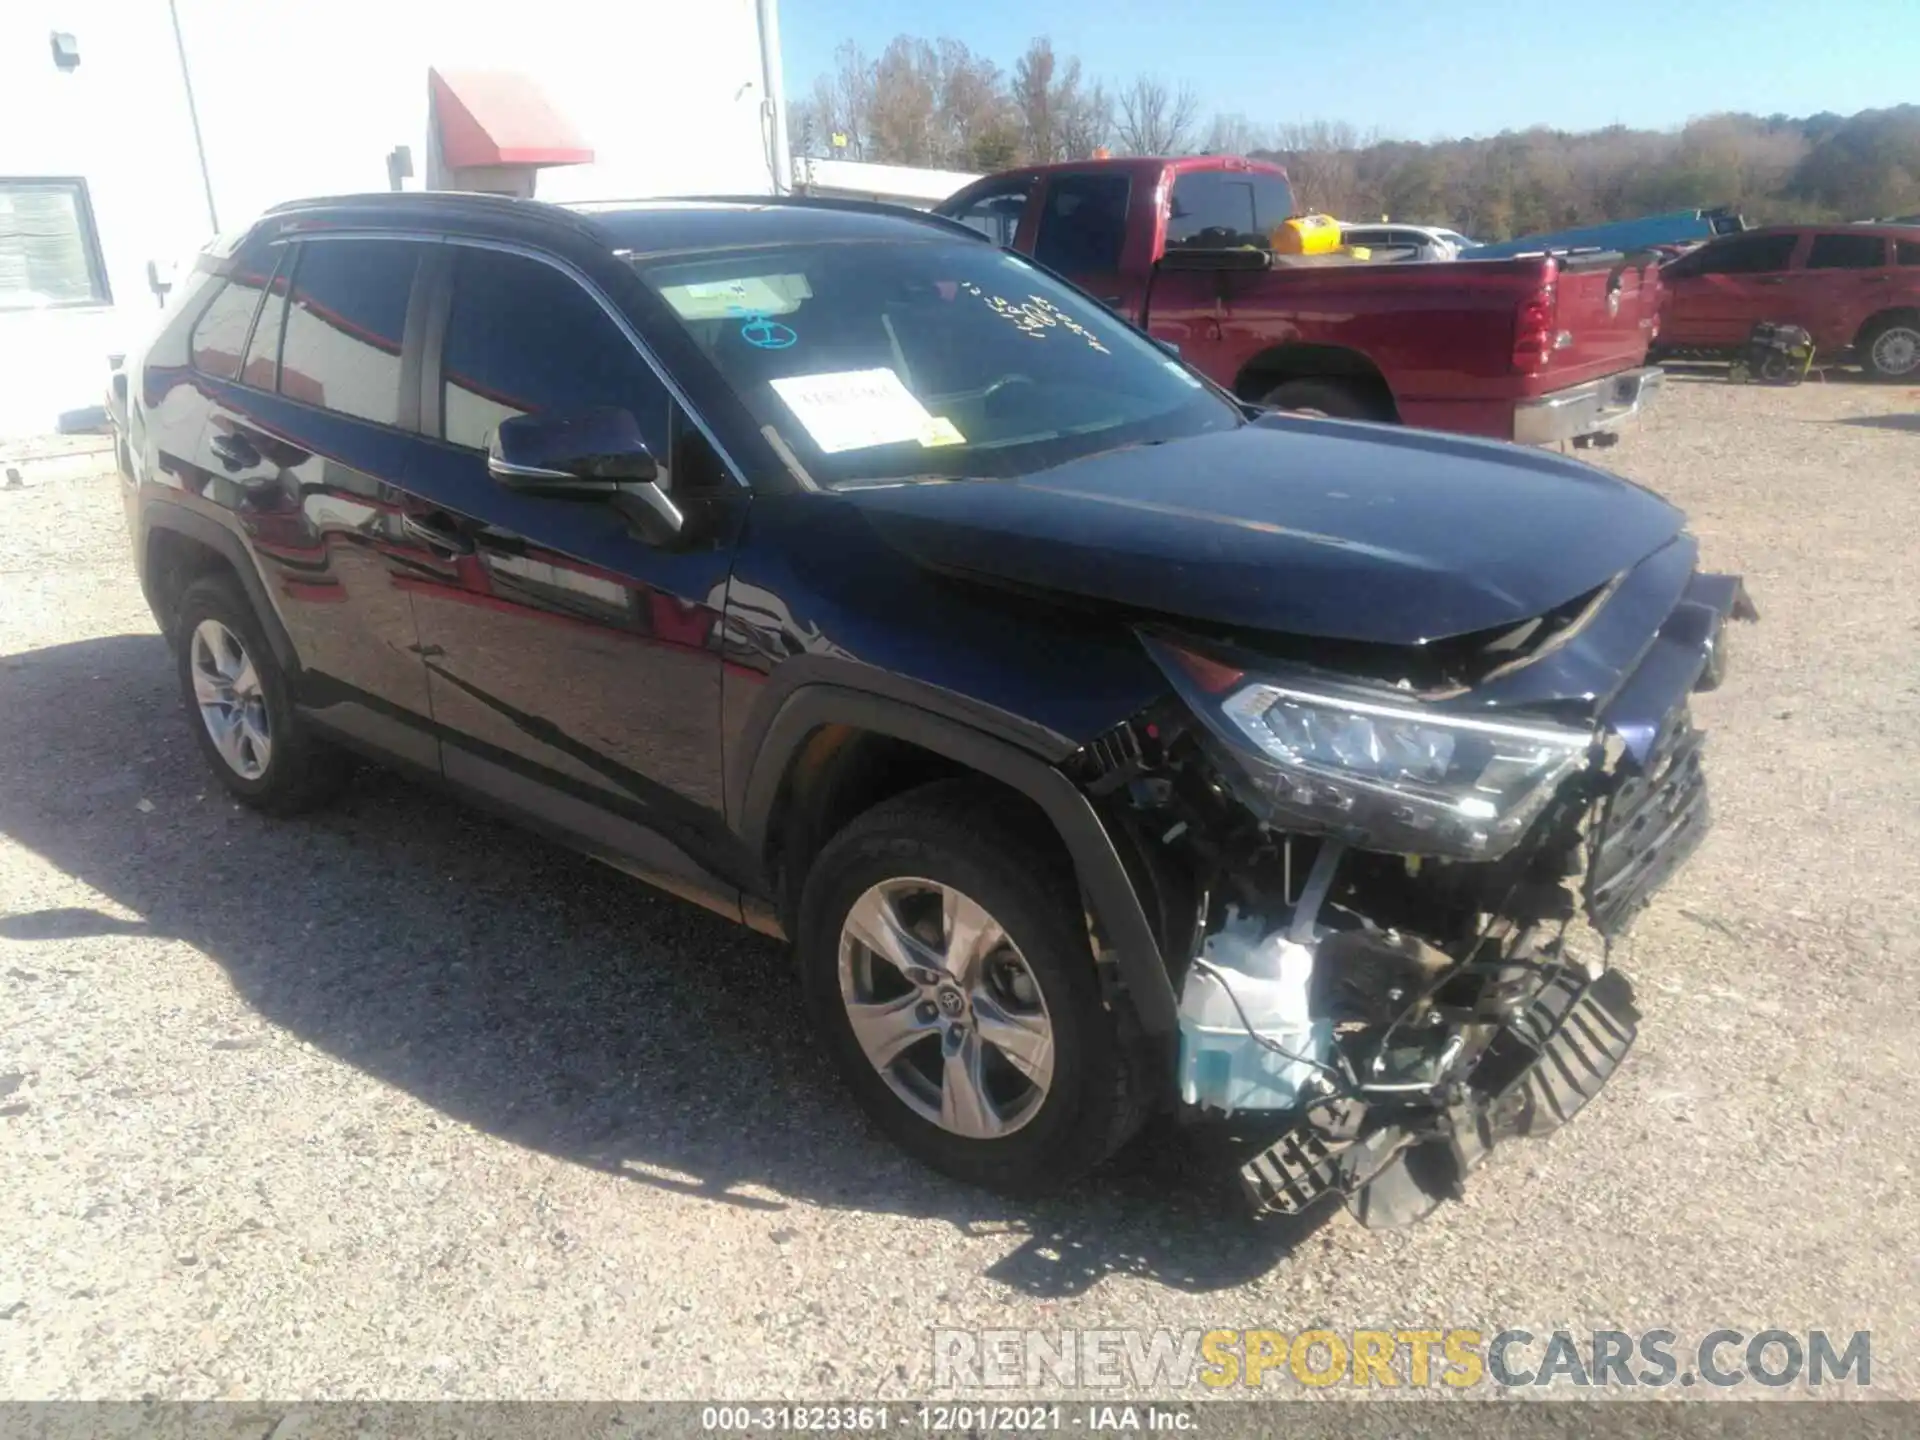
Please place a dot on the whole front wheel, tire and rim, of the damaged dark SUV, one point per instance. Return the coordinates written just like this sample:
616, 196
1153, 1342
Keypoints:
946, 963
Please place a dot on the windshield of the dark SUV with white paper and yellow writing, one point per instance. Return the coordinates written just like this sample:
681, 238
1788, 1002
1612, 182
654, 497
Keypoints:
886, 362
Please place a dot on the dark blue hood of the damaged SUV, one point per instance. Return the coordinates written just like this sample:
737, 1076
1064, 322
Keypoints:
1299, 527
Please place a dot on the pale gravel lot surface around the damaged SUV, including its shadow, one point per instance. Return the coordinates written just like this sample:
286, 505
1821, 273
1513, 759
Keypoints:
396, 1103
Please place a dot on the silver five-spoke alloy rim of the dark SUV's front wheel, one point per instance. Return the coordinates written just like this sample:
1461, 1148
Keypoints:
946, 1009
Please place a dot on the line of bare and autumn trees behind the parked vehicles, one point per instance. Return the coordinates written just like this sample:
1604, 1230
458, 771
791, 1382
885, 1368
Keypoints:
944, 107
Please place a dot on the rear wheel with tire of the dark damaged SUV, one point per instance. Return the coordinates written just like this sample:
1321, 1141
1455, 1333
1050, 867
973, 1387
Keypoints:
241, 708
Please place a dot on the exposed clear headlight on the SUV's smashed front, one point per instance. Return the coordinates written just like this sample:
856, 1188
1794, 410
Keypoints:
1380, 775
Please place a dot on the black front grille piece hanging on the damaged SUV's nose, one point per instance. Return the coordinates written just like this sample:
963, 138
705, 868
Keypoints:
1654, 819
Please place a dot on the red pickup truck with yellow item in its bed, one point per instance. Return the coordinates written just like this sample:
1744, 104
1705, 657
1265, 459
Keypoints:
1535, 348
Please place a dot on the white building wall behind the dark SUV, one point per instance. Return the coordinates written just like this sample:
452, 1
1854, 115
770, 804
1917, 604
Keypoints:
308, 97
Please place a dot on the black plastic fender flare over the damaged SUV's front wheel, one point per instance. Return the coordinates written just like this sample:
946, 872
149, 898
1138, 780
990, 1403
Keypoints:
1111, 892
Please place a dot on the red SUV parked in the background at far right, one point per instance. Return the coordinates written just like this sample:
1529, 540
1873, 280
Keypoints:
1852, 287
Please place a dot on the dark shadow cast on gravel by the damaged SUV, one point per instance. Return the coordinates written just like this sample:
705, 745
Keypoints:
529, 992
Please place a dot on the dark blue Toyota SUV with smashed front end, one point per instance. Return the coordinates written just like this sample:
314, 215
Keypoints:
1101, 742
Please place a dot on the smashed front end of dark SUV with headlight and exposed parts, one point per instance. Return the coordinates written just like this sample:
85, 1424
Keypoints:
1391, 876
